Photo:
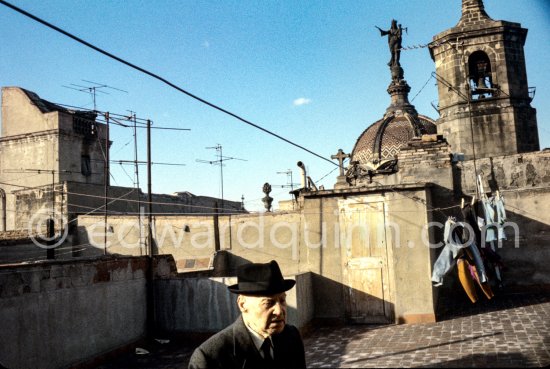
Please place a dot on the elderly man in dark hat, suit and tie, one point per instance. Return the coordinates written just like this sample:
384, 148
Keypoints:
260, 338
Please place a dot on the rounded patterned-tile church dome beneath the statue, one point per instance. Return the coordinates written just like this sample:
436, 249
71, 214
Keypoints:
381, 141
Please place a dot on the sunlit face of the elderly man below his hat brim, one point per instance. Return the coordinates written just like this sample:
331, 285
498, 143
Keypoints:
266, 315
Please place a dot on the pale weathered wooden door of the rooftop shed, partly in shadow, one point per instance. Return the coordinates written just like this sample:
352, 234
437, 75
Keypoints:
365, 262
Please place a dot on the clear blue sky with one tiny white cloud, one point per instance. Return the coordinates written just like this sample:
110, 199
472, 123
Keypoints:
313, 72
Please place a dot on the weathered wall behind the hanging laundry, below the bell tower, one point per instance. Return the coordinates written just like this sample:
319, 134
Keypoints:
523, 180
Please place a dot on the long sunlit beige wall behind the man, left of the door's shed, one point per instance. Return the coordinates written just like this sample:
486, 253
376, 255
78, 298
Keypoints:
193, 237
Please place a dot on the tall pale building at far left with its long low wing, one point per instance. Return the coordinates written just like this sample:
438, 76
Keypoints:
52, 164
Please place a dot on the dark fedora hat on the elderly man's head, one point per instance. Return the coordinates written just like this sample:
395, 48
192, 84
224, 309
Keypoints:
261, 280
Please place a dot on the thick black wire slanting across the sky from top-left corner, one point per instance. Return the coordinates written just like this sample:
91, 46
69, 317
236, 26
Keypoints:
155, 76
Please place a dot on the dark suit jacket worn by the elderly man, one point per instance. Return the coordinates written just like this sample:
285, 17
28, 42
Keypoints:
233, 348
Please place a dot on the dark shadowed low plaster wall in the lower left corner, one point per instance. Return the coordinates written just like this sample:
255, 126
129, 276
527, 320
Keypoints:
60, 313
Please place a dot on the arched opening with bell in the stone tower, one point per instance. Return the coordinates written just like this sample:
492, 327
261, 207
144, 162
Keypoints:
480, 76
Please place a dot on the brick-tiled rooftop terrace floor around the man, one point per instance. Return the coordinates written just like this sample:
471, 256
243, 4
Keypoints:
511, 330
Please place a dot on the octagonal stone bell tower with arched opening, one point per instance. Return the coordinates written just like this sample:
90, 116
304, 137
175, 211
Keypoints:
484, 99
